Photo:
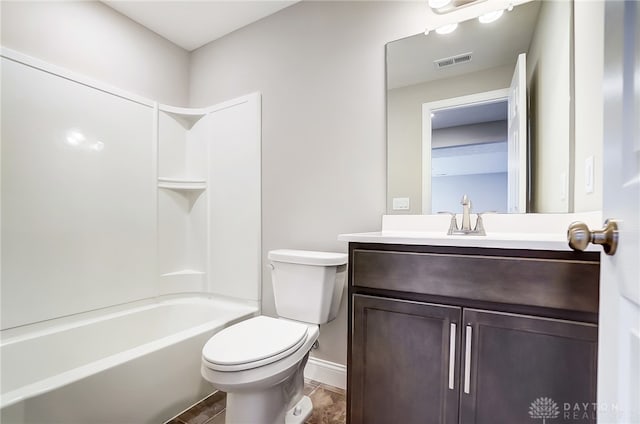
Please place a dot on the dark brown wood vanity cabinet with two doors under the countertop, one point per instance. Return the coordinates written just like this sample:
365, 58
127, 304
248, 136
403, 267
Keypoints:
470, 335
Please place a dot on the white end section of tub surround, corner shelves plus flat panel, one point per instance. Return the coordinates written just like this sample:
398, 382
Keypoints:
207, 157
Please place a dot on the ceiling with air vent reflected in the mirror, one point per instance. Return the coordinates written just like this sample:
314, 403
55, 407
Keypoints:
410, 60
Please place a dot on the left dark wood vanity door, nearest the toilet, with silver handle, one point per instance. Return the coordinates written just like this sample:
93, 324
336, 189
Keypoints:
404, 362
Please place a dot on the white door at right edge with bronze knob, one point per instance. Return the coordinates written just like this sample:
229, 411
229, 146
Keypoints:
619, 332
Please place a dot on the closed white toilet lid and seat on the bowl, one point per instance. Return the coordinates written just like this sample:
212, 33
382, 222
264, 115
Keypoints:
252, 343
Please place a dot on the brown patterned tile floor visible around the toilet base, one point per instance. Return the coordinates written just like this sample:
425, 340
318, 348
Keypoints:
329, 407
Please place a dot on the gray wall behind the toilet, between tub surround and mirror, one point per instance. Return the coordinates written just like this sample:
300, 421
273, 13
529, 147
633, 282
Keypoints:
321, 69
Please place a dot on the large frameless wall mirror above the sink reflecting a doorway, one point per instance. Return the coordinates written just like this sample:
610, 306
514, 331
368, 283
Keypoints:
457, 122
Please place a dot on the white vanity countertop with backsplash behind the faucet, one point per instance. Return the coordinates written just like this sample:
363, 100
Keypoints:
537, 231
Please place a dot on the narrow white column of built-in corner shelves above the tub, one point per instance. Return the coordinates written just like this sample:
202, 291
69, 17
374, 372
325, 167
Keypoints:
182, 200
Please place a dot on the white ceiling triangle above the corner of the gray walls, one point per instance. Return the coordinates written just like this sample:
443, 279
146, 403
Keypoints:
192, 24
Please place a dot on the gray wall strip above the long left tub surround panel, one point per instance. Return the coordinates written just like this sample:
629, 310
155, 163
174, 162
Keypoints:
96, 41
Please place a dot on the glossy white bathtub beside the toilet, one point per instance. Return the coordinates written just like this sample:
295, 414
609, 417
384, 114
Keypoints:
132, 365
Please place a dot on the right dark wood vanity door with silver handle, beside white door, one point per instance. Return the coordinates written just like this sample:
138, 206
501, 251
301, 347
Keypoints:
521, 369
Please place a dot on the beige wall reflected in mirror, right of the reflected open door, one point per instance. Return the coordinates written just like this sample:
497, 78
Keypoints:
548, 70
